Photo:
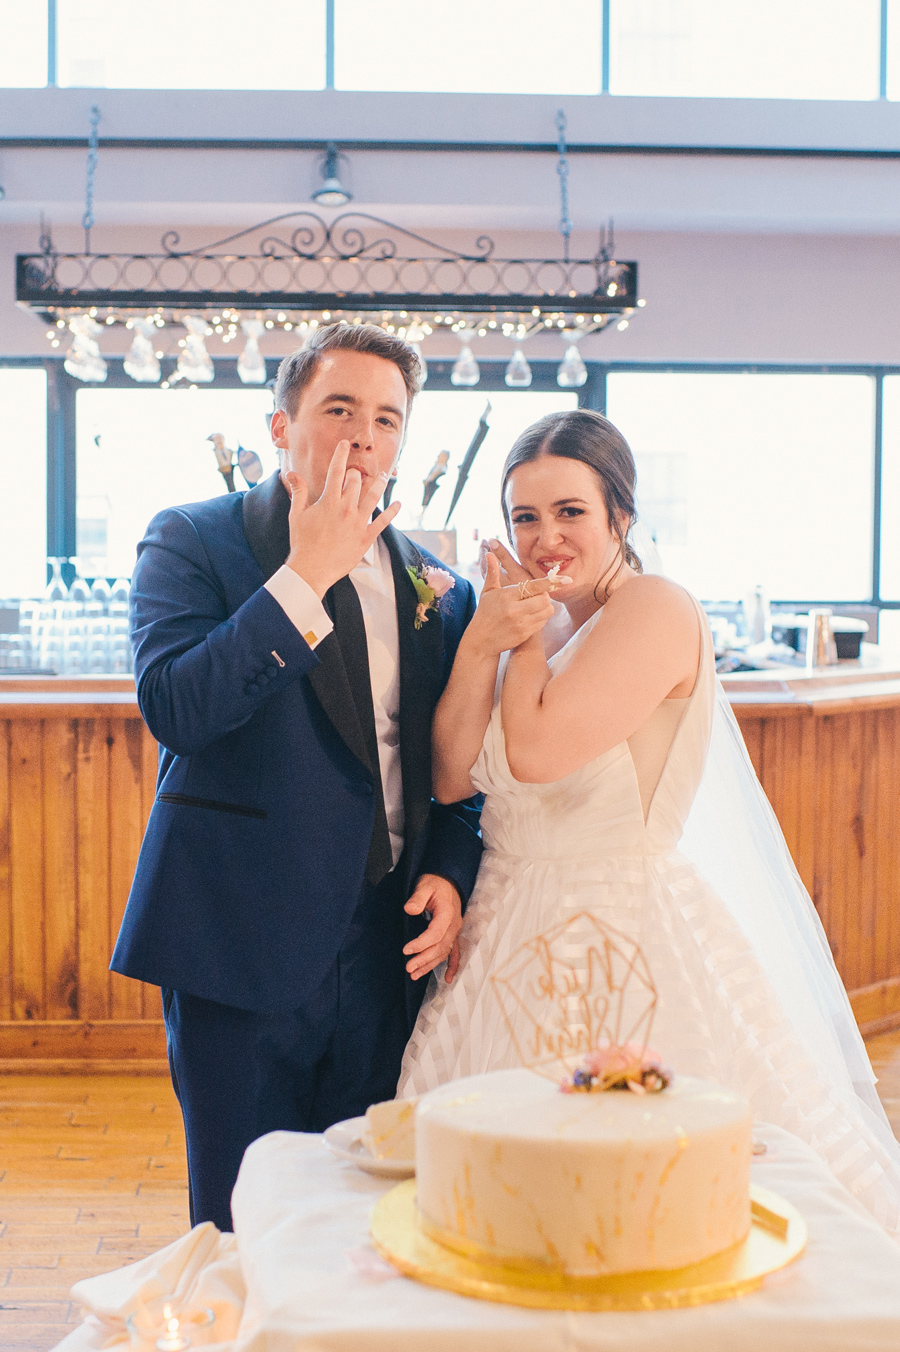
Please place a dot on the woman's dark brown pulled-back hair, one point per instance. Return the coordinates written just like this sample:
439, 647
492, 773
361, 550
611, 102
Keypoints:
586, 436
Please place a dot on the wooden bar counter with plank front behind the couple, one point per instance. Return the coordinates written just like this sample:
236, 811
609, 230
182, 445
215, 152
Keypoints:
78, 775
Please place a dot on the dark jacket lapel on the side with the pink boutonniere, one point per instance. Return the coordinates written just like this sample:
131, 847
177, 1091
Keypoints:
421, 666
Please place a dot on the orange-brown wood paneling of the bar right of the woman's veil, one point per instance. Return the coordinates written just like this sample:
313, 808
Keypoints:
833, 778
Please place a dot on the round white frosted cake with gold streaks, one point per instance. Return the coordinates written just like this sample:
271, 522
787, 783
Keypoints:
511, 1170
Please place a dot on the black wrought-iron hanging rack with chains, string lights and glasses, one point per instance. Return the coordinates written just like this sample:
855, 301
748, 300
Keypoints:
299, 271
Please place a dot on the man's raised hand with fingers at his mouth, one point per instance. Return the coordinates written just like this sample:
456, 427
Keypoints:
330, 536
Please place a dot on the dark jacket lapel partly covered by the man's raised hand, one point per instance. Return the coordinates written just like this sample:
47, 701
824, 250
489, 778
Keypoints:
266, 528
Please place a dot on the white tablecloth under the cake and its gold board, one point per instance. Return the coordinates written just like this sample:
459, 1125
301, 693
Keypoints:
316, 1285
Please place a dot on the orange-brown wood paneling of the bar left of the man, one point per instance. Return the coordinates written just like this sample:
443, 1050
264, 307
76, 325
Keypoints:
75, 797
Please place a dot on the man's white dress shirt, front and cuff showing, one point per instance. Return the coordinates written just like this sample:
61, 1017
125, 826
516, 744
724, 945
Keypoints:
374, 582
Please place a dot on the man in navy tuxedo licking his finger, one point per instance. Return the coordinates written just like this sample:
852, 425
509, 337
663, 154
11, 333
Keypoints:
295, 877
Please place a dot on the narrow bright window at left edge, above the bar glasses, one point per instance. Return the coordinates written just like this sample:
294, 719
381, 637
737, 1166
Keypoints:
24, 482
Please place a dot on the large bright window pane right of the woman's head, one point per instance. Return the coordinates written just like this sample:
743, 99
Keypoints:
755, 479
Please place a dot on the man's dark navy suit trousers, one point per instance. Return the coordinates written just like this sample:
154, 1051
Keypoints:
240, 1076
